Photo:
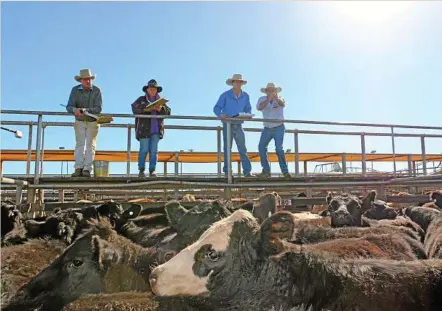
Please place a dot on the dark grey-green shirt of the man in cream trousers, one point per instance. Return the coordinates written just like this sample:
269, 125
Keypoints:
90, 99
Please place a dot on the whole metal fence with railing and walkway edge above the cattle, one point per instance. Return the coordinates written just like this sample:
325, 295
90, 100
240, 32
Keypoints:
36, 182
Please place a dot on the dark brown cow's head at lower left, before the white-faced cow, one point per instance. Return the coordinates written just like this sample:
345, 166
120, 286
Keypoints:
100, 260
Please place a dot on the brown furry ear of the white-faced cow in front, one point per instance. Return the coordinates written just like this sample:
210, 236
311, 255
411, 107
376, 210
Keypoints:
276, 229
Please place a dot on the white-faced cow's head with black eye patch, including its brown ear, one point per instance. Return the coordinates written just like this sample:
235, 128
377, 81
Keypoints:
225, 257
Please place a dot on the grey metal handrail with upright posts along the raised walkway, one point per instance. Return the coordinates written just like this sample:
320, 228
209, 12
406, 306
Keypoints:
41, 125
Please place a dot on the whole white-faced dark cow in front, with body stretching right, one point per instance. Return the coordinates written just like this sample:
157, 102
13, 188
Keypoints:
237, 262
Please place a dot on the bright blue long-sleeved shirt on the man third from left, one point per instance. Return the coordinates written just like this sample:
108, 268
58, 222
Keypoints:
231, 105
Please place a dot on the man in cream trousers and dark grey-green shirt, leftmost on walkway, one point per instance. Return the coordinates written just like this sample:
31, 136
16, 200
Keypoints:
85, 97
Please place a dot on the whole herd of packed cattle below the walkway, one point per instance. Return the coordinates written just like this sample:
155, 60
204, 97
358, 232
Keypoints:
355, 254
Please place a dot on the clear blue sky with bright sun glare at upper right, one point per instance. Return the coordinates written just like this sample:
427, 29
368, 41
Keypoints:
342, 61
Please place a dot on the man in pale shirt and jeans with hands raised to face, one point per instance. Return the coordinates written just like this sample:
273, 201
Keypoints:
272, 107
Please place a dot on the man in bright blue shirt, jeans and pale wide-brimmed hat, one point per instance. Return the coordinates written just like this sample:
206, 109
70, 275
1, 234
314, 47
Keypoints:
230, 104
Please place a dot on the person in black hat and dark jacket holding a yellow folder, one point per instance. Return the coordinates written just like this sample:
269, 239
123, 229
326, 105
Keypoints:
149, 131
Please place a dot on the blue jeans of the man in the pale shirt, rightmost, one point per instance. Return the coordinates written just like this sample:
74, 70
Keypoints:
276, 133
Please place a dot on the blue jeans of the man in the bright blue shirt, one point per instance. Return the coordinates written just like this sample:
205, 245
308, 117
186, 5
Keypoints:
240, 140
